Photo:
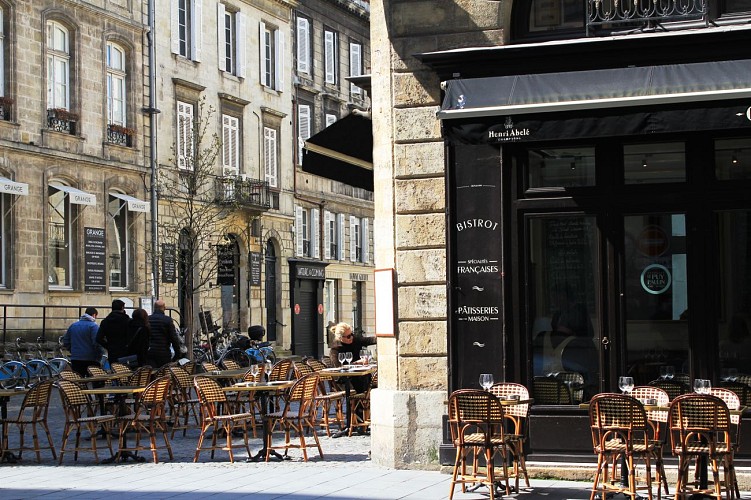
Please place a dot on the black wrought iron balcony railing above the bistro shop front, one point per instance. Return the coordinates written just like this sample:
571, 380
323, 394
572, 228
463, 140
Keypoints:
642, 13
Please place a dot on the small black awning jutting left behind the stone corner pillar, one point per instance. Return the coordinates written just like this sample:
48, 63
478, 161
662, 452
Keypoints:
343, 151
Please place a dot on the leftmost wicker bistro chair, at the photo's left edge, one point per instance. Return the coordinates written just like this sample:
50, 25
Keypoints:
33, 413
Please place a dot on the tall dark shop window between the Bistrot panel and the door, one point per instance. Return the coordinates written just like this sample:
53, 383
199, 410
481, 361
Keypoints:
562, 262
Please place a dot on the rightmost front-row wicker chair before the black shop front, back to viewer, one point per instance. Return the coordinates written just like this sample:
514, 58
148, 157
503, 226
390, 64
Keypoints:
700, 426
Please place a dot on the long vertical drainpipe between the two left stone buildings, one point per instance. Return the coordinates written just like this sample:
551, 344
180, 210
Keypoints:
152, 111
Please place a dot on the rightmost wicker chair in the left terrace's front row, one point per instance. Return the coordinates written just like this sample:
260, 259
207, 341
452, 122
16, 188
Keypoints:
298, 416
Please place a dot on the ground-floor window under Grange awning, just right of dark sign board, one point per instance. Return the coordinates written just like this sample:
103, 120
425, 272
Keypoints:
118, 241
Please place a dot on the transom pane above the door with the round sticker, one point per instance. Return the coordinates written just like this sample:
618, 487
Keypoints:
654, 163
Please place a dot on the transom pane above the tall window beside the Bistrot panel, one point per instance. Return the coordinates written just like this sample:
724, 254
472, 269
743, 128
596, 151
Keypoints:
561, 167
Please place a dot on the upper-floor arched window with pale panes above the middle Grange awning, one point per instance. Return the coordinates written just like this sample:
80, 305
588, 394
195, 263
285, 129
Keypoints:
58, 66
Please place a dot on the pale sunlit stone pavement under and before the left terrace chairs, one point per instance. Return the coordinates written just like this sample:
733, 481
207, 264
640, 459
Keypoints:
346, 473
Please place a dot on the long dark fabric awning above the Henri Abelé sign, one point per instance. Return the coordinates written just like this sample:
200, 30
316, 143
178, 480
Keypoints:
597, 89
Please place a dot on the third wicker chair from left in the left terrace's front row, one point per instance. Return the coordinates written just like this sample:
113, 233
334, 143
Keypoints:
148, 418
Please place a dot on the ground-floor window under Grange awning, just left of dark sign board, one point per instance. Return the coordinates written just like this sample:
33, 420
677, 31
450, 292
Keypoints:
60, 233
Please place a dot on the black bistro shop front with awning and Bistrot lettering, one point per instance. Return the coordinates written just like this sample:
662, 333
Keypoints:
600, 218
